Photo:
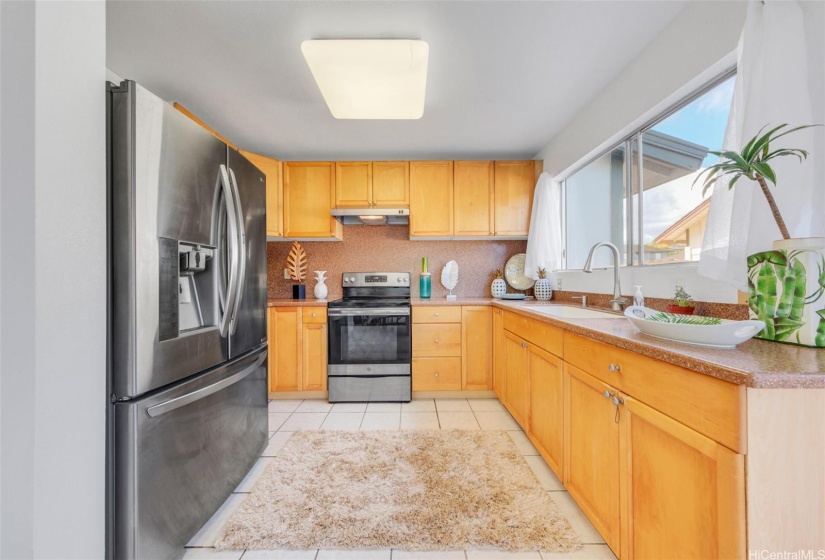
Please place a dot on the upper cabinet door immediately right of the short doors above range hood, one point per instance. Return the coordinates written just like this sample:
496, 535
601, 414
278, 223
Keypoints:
431, 198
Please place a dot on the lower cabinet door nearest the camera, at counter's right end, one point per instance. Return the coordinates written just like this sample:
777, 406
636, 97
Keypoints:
683, 493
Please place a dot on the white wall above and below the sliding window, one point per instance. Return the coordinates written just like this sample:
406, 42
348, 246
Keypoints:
695, 47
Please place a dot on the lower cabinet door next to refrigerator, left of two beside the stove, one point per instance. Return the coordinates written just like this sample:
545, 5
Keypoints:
285, 349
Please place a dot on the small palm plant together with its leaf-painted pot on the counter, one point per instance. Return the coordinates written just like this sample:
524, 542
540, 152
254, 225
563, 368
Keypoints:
785, 285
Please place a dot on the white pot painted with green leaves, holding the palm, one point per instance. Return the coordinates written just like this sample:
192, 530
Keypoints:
786, 289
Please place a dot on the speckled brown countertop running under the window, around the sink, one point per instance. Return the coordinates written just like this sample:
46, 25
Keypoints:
755, 363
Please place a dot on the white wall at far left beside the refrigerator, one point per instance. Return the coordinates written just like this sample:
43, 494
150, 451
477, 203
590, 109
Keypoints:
53, 291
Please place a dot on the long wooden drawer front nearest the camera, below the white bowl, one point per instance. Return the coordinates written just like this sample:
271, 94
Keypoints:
709, 405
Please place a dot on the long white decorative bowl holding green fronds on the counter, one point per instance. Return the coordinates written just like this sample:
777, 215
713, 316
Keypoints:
723, 334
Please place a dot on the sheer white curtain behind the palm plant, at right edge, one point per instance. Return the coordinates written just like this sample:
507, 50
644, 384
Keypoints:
780, 79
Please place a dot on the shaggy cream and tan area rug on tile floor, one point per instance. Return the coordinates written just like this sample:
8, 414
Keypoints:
412, 490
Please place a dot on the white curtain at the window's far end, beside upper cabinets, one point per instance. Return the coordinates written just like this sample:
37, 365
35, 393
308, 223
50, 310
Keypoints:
544, 239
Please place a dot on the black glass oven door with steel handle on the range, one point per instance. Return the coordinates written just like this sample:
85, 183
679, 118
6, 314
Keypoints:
360, 338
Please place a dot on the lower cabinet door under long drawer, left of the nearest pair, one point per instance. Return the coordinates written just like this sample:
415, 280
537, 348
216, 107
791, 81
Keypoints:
591, 452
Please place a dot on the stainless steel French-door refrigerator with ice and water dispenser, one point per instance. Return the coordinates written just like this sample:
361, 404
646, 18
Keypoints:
188, 353
